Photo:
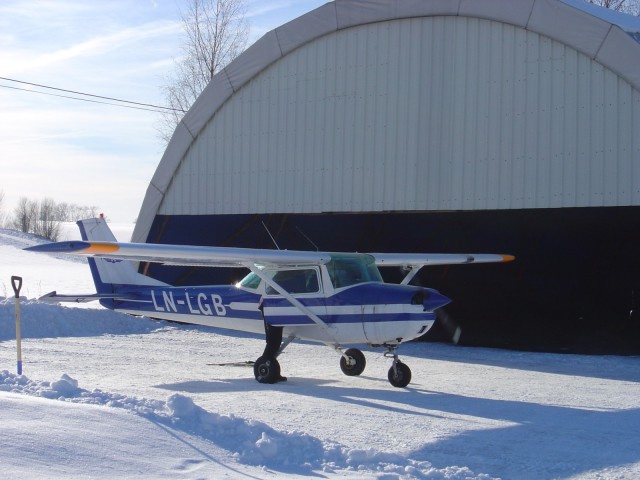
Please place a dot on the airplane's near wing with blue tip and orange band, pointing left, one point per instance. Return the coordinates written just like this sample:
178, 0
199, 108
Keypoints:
185, 254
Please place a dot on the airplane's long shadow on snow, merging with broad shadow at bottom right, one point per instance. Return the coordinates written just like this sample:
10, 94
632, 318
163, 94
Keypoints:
541, 441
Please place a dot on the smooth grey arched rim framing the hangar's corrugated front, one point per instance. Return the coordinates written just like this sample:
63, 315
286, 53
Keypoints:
604, 36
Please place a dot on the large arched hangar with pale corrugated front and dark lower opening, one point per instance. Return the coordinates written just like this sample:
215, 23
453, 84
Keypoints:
506, 126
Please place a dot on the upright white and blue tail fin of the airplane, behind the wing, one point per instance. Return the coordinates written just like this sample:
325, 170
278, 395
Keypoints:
107, 273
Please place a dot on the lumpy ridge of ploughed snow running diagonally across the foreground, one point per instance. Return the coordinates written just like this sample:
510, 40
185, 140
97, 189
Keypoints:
250, 442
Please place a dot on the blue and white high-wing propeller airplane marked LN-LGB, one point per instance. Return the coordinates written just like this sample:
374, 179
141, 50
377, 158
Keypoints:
336, 299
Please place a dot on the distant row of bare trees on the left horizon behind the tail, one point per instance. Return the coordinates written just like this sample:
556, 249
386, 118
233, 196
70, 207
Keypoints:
44, 217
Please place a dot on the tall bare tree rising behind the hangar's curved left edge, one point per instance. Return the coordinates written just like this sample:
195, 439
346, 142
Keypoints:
216, 32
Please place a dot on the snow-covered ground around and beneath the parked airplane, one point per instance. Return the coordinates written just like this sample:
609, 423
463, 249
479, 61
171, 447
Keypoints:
104, 395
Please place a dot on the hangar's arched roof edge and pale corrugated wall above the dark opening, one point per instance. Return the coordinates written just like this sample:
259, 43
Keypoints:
373, 105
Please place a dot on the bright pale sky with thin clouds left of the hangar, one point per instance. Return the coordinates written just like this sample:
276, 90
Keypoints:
86, 153
